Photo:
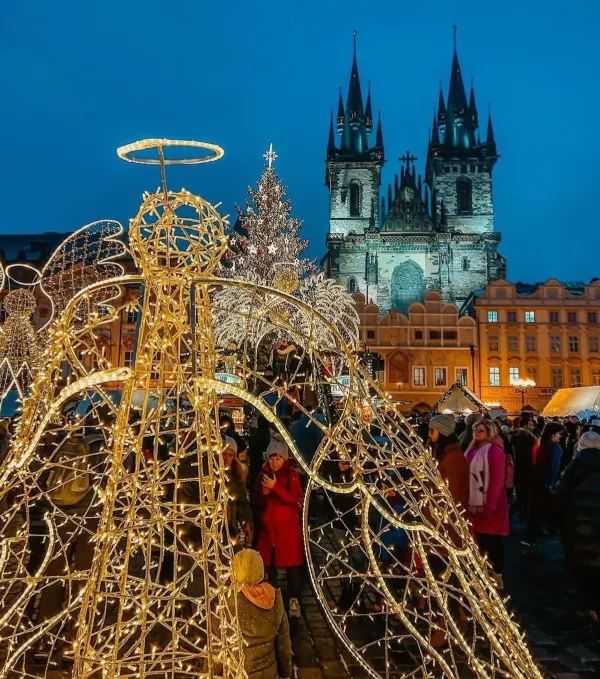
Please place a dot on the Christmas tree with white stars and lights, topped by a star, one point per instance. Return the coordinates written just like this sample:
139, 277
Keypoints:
266, 244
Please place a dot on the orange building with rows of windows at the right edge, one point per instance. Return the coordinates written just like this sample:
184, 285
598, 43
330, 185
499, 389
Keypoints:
548, 334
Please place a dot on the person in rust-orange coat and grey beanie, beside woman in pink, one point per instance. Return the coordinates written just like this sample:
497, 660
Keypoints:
448, 453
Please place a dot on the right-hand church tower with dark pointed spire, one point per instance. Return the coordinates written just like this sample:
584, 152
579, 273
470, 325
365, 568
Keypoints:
459, 166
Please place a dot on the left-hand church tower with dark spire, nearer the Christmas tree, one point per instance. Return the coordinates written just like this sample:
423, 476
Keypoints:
354, 167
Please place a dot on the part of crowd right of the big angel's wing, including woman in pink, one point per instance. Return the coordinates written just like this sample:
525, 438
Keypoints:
547, 472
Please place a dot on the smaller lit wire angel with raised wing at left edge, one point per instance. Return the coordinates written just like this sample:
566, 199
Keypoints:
83, 258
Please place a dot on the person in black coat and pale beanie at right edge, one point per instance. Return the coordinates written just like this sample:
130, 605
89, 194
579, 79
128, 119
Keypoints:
578, 496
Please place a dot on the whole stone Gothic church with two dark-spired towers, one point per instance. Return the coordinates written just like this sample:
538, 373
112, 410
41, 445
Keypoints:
436, 234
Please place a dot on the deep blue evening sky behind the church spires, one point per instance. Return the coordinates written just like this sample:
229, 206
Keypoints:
80, 77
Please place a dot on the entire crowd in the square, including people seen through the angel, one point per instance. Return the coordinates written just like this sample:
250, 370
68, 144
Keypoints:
546, 472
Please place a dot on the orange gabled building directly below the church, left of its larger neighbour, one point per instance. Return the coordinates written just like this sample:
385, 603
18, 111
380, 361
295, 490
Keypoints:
423, 352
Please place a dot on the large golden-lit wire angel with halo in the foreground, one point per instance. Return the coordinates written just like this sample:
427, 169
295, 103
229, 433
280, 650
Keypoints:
113, 498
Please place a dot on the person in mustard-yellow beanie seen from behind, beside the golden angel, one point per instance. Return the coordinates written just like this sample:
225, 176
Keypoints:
263, 622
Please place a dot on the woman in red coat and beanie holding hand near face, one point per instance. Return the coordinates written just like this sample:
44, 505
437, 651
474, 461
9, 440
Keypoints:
278, 500
